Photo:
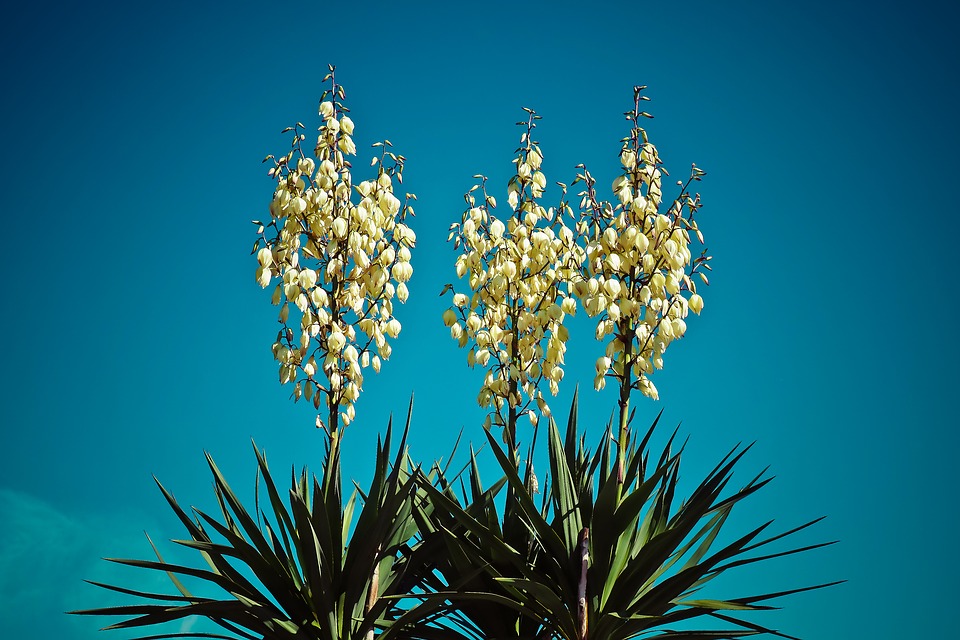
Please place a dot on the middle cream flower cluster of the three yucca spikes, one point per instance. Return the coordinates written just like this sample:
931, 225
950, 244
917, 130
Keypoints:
518, 271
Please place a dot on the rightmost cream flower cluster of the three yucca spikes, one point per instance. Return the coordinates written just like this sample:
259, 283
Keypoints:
638, 264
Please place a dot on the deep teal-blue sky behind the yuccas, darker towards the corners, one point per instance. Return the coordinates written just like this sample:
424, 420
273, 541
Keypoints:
135, 338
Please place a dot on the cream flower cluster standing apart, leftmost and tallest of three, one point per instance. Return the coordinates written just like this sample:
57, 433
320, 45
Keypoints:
341, 253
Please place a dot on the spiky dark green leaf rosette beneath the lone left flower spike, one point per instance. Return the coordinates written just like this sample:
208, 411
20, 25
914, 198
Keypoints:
313, 574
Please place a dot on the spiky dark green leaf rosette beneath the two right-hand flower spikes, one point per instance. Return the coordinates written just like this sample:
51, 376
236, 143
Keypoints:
600, 559
